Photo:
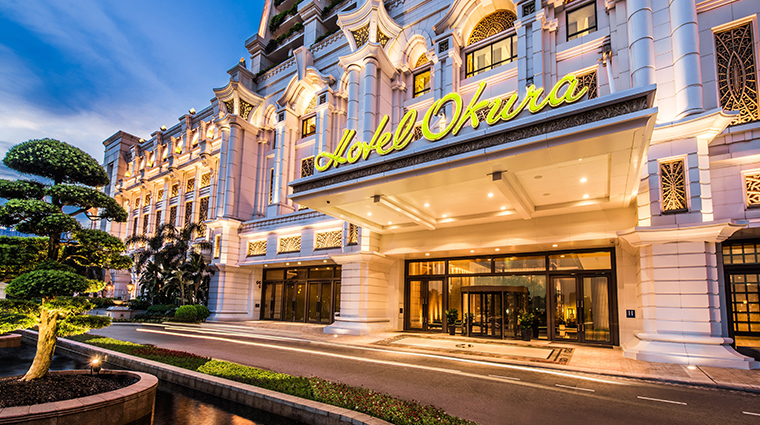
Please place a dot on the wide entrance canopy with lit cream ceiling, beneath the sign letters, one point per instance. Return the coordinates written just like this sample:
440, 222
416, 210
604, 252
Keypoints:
580, 157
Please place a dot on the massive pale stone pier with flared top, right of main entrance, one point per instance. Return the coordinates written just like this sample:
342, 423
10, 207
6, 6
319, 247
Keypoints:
680, 297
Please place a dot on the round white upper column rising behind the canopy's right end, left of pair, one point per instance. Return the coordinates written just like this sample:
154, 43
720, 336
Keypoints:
641, 42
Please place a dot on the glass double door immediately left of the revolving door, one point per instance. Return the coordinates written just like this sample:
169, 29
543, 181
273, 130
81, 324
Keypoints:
426, 305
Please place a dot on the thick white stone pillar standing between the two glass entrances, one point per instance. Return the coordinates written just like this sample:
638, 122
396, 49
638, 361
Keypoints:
364, 294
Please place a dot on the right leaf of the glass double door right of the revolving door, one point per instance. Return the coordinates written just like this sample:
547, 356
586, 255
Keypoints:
596, 309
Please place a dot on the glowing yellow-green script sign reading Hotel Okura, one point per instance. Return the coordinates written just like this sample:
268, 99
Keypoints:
499, 110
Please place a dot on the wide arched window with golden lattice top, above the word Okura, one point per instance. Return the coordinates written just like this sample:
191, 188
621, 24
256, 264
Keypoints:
497, 53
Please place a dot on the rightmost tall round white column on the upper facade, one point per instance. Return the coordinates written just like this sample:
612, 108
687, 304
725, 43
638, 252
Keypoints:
684, 38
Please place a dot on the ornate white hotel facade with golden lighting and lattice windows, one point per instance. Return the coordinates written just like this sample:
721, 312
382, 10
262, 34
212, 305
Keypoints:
374, 164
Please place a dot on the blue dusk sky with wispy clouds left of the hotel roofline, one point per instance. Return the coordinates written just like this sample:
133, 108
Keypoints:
81, 70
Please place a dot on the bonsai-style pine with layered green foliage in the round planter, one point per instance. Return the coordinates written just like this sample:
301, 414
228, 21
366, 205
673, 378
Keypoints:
43, 293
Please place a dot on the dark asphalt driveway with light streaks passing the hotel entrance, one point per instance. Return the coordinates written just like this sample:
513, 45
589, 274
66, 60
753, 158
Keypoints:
481, 391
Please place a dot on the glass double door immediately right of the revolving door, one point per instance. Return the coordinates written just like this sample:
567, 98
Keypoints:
581, 308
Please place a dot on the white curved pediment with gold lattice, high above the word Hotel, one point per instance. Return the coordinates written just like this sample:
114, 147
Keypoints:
370, 23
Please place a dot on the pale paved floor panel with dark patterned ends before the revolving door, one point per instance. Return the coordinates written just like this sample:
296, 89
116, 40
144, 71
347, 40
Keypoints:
500, 350
